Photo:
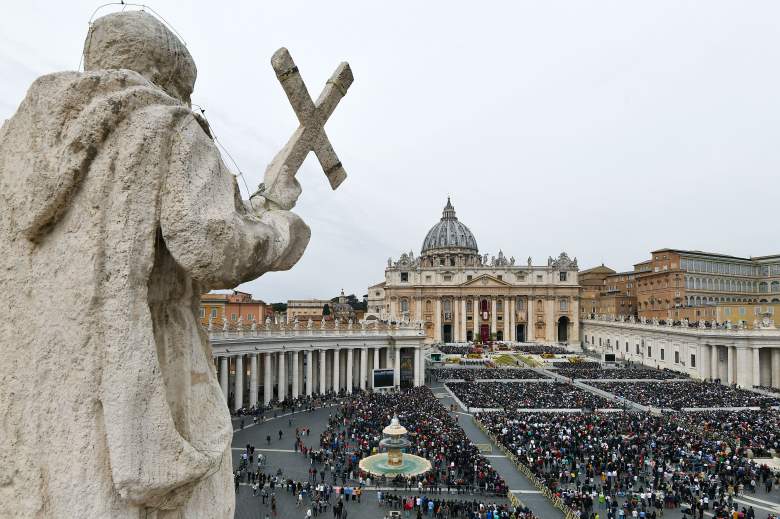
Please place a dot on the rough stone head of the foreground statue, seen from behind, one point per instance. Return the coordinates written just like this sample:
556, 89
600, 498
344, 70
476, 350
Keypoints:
136, 40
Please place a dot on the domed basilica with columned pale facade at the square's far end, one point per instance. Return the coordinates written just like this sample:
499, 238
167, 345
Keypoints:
460, 295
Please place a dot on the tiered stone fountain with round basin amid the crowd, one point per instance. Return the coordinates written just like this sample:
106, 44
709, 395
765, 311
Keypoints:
394, 461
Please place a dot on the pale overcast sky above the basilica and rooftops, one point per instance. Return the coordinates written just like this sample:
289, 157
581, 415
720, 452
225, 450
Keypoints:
603, 129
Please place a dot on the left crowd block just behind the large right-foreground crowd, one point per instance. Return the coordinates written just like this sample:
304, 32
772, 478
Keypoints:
526, 395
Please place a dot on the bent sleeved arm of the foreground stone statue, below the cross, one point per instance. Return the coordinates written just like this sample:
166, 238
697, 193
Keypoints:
220, 239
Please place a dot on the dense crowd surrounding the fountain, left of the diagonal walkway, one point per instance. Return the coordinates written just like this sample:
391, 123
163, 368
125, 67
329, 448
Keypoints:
456, 463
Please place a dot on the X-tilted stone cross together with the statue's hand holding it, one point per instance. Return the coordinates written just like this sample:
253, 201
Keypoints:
279, 187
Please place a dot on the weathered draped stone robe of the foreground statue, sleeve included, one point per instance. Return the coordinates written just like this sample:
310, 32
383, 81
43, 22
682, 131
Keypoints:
116, 212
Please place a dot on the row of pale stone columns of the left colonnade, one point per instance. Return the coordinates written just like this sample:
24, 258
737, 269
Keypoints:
291, 373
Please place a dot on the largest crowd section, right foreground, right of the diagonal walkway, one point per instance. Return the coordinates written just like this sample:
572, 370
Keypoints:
633, 464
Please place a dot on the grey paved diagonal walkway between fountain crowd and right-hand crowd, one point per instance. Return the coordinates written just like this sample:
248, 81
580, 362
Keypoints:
517, 482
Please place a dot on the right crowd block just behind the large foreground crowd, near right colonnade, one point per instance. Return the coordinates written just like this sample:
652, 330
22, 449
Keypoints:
679, 395
